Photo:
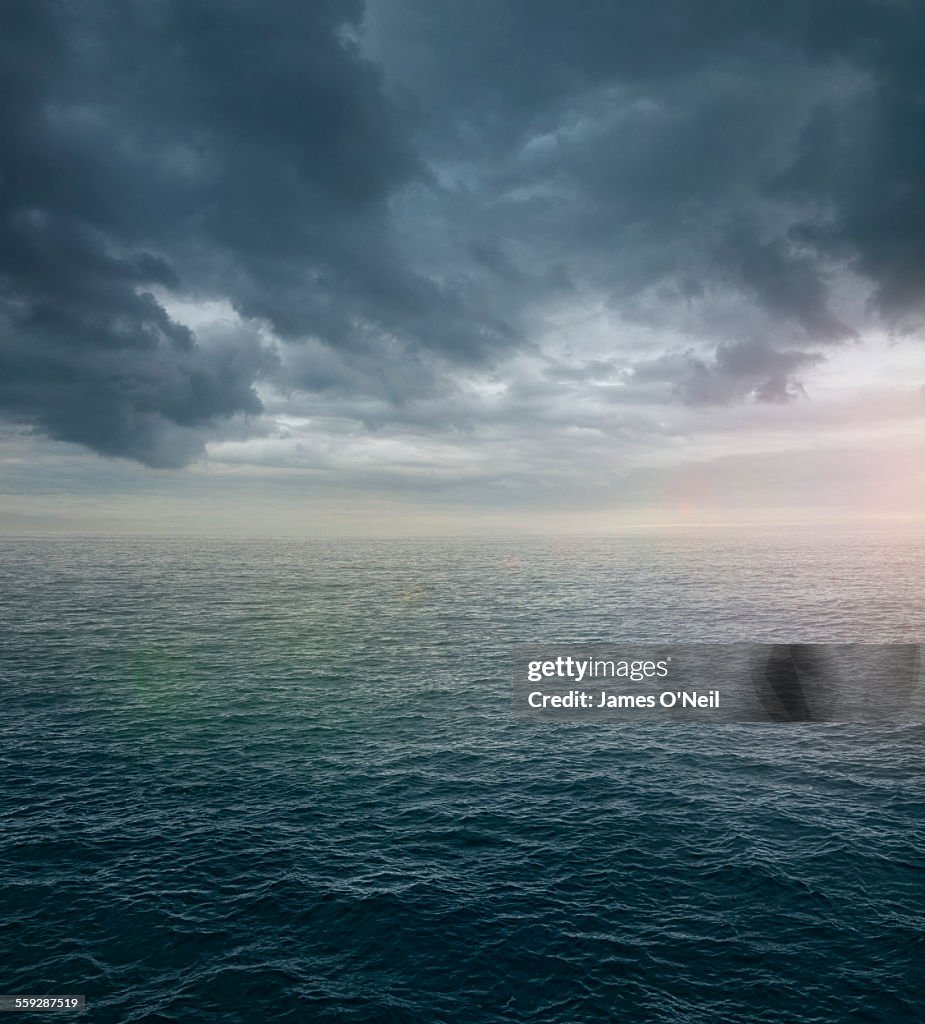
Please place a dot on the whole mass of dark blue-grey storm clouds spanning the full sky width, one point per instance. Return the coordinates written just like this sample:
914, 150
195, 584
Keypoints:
395, 195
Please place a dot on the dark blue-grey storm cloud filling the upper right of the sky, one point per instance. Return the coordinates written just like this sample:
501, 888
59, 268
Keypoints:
689, 147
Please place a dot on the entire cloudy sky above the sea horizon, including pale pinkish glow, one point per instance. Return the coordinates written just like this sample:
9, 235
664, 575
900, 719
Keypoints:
415, 267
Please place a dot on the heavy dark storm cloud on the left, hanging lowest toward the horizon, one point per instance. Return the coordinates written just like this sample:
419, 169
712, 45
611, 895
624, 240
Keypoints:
233, 150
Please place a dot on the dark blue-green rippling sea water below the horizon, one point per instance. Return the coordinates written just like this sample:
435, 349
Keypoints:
280, 782
